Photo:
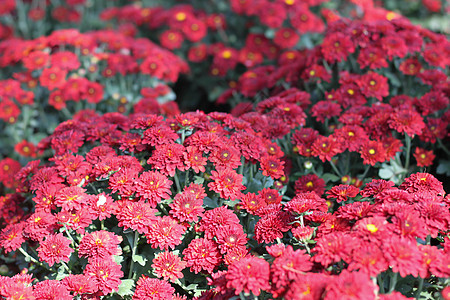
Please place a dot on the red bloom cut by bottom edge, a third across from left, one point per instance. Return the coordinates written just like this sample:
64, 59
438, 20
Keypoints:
153, 289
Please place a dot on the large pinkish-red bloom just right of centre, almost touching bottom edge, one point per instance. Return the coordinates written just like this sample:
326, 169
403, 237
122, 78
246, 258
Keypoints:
250, 274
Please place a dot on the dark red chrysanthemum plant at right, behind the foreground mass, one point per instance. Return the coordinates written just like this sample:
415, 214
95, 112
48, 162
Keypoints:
376, 99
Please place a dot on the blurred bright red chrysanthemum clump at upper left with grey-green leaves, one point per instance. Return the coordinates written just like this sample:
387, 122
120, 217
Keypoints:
68, 70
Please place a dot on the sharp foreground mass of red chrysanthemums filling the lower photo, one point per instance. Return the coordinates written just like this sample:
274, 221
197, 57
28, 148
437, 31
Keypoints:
188, 206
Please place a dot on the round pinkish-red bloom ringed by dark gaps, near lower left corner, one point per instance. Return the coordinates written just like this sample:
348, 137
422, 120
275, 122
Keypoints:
55, 248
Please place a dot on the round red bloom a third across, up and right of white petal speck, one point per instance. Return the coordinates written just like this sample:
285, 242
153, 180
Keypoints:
153, 187
